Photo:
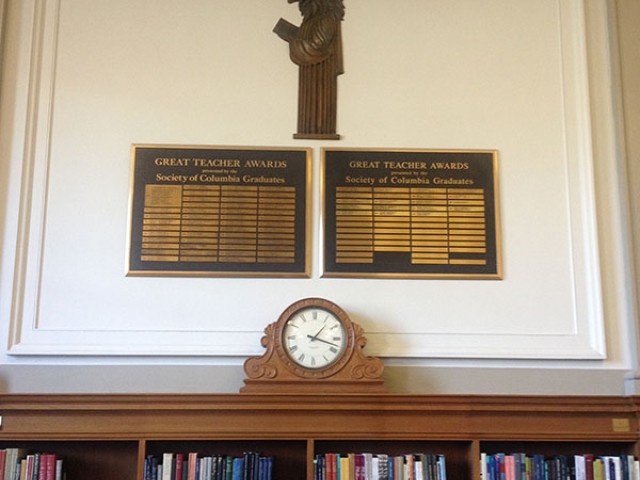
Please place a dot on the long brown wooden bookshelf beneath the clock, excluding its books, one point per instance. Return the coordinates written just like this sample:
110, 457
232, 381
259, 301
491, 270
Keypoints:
108, 436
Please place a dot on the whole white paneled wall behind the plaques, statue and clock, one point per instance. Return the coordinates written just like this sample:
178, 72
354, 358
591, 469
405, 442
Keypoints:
82, 81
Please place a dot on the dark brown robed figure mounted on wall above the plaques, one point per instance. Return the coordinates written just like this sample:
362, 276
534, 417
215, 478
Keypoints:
316, 47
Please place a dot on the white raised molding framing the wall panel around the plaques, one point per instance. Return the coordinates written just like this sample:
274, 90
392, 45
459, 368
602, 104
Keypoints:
586, 341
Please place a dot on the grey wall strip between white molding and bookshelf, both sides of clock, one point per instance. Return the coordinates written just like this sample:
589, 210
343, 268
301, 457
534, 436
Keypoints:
217, 379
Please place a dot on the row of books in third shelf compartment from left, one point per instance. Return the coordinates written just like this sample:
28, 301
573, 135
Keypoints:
368, 466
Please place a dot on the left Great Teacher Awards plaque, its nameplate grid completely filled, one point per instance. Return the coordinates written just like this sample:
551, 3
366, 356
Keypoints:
219, 211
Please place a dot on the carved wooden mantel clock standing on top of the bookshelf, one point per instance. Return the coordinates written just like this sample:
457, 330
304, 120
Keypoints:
313, 347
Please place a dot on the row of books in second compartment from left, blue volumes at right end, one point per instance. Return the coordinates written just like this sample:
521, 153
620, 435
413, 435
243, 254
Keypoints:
192, 466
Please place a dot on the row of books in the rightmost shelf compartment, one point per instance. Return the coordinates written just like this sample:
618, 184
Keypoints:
519, 466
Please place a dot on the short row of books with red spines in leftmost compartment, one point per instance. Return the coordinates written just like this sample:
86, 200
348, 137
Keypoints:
19, 464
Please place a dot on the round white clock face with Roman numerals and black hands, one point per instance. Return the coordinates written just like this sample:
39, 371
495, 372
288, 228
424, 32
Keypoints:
314, 338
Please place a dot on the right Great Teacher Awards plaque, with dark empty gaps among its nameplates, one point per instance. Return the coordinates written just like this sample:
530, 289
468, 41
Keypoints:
410, 214
